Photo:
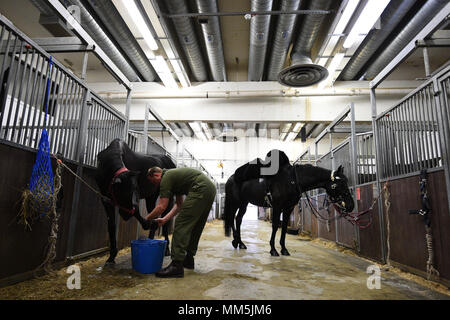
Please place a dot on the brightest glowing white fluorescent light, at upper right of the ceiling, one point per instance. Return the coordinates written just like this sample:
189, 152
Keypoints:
370, 14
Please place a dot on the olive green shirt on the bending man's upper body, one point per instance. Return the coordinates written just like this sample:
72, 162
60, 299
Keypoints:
177, 181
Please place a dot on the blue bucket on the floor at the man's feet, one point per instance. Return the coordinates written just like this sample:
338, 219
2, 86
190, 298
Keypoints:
147, 255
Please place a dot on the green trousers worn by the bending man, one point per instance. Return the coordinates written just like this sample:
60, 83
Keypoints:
192, 217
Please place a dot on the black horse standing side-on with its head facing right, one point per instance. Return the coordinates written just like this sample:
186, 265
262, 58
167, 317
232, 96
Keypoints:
286, 188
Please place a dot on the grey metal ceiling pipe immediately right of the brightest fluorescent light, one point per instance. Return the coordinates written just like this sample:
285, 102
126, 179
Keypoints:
390, 19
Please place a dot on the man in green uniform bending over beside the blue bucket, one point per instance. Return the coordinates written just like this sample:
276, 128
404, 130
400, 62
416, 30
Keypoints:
192, 212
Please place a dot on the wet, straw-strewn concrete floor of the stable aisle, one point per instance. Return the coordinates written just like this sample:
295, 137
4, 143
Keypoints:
222, 272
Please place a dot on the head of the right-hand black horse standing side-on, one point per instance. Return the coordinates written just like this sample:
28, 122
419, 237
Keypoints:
338, 192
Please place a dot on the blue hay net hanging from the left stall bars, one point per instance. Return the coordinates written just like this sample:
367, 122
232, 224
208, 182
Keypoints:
41, 183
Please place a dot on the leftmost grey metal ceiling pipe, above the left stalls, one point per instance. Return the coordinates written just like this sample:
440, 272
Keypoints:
99, 36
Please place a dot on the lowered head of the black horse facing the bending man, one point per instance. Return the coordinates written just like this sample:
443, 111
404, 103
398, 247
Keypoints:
125, 193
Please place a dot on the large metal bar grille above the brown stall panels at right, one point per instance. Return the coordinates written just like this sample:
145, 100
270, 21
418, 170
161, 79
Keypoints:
409, 134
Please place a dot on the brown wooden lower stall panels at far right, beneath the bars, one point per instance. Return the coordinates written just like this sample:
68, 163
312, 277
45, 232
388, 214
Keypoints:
407, 232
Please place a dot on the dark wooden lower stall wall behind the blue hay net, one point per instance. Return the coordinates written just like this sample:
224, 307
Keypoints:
23, 250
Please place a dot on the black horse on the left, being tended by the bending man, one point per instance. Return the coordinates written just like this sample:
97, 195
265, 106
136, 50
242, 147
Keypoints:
121, 177
